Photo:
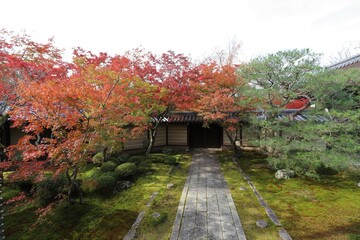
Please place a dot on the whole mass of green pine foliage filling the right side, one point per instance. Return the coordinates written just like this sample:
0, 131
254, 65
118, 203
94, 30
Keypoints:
314, 146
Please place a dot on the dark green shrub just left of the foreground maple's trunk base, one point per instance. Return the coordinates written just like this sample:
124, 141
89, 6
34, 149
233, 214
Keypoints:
48, 189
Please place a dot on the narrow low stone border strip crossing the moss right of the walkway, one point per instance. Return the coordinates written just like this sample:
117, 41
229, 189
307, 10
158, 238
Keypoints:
271, 214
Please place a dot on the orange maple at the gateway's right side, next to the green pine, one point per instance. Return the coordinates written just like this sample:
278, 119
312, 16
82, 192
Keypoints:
218, 98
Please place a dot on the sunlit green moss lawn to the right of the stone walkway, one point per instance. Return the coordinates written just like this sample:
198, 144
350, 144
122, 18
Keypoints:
307, 208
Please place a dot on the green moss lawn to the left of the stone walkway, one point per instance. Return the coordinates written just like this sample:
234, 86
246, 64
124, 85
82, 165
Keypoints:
106, 217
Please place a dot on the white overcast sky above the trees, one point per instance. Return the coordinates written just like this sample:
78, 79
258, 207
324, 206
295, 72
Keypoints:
192, 27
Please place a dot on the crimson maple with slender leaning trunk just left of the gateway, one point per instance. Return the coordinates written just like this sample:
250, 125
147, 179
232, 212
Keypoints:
172, 74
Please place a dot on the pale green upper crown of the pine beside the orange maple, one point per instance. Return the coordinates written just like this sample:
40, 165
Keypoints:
279, 78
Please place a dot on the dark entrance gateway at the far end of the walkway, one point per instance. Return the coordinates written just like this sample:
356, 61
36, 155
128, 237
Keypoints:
205, 137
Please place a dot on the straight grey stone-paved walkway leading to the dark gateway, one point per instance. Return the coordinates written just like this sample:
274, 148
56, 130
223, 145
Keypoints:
206, 209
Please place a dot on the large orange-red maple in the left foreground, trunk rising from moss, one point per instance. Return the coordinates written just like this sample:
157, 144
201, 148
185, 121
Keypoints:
96, 107
